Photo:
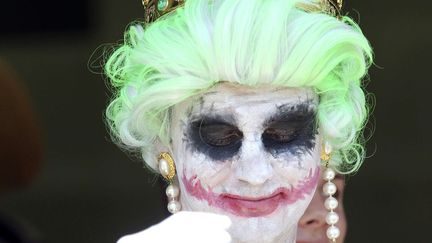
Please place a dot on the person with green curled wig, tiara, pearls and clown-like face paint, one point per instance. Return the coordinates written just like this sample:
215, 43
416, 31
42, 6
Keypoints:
238, 104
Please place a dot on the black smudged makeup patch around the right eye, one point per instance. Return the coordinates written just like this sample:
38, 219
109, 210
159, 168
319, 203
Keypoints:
292, 129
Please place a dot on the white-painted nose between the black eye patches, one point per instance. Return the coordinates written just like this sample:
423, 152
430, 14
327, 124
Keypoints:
253, 166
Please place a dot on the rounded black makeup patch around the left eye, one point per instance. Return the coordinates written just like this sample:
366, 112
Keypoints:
216, 137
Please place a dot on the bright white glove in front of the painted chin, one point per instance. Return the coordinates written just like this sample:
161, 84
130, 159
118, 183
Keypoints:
188, 227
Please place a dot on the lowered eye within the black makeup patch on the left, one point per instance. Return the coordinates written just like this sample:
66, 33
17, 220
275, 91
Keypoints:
219, 134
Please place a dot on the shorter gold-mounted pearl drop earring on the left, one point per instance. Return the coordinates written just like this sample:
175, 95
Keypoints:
167, 170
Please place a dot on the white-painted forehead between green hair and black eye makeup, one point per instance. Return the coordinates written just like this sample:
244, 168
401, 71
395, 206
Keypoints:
234, 99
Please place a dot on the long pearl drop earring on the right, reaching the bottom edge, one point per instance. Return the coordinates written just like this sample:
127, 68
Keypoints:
329, 190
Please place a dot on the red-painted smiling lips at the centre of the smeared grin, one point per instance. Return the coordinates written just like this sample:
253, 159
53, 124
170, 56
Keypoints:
254, 206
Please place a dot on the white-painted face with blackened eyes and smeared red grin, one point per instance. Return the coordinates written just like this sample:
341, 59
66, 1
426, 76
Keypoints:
251, 154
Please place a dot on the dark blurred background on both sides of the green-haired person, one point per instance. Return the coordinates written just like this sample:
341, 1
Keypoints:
84, 189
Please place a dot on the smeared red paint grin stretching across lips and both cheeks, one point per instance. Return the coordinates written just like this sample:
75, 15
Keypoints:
244, 206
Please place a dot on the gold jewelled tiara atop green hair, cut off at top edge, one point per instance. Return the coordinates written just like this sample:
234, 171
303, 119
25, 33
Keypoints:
154, 9
